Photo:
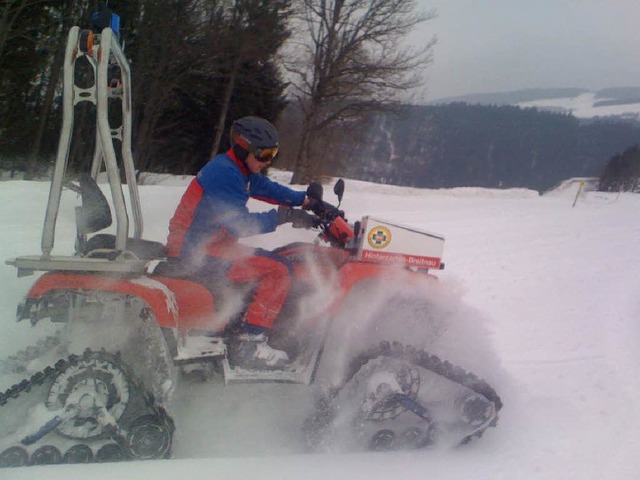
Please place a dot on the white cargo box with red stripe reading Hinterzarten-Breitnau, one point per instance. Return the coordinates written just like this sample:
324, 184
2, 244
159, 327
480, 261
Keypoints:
381, 241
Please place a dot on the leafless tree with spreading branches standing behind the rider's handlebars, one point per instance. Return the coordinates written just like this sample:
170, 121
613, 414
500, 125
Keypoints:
352, 64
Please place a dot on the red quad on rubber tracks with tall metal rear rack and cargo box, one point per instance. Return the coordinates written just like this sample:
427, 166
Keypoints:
105, 394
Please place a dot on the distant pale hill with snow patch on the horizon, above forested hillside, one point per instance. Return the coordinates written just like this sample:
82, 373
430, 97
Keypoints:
623, 103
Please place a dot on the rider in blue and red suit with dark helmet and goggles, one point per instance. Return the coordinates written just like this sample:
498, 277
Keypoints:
212, 215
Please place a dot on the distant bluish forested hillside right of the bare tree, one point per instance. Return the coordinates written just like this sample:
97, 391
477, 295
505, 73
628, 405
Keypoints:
489, 146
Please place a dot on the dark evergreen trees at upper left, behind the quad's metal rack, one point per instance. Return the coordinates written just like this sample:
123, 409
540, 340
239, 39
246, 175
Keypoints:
195, 67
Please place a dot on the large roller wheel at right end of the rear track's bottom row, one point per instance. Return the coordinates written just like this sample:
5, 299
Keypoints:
150, 437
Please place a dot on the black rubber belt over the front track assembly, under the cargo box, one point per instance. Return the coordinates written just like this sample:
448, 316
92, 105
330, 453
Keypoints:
429, 362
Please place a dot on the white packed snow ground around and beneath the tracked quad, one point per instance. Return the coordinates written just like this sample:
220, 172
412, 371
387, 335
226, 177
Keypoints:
555, 289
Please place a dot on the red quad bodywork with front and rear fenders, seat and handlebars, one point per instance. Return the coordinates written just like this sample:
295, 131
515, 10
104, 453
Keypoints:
184, 308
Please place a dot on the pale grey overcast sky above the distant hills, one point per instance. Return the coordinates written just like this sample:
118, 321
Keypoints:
502, 45
